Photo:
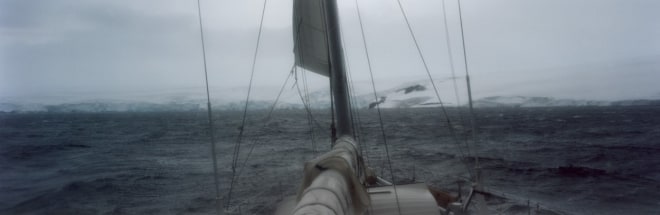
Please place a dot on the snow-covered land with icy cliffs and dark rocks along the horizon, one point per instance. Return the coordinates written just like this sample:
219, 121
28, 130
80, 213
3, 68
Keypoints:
409, 95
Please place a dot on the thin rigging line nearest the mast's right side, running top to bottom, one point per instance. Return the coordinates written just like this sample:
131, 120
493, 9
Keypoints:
380, 116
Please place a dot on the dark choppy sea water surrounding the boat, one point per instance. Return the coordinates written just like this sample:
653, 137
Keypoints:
577, 160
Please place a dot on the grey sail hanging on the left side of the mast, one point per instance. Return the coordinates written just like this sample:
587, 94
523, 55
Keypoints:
309, 35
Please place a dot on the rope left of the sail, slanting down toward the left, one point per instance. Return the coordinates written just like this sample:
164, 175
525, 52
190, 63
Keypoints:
237, 147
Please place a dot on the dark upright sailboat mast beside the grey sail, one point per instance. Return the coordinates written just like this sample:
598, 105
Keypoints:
338, 81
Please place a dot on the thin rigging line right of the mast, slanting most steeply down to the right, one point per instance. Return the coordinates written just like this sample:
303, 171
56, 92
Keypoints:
437, 94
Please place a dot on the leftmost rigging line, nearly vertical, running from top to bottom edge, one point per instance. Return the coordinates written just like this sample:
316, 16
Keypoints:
210, 112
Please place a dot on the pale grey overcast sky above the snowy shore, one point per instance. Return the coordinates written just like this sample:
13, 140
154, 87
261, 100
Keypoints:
587, 49
